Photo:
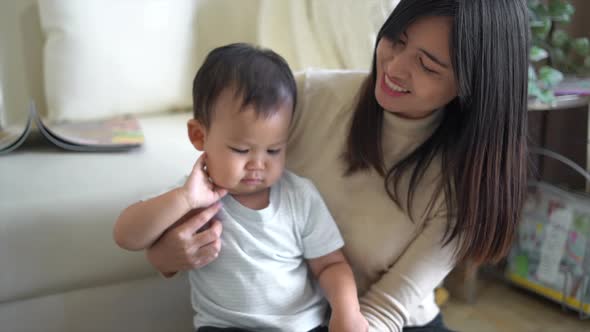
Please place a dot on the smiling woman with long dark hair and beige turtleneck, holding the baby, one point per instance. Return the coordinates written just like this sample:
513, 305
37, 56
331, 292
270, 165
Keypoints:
422, 161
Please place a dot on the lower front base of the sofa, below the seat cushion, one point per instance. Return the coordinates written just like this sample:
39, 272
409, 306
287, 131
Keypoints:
147, 305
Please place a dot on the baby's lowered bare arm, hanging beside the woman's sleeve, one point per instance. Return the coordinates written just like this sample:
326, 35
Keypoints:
336, 279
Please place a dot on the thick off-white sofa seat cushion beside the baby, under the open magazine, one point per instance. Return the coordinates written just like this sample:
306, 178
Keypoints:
58, 209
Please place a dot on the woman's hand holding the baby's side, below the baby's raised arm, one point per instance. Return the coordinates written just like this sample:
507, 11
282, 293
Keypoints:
188, 244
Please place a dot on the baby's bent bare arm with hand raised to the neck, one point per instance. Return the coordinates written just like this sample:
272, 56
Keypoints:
142, 223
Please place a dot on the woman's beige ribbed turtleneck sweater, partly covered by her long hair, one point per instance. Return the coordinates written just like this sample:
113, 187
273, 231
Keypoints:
397, 262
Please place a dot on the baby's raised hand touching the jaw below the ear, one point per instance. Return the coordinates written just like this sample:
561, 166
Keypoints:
198, 190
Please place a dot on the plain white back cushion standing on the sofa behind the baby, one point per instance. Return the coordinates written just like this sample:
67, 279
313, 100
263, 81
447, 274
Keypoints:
108, 57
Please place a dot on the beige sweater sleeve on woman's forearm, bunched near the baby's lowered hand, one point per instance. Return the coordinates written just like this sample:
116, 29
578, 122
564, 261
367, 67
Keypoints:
415, 275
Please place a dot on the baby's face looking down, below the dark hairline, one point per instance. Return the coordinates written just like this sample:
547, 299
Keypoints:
246, 152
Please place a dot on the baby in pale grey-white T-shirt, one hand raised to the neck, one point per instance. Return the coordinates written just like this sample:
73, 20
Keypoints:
279, 241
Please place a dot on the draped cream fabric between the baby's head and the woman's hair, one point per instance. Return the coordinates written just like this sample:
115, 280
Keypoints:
326, 34
